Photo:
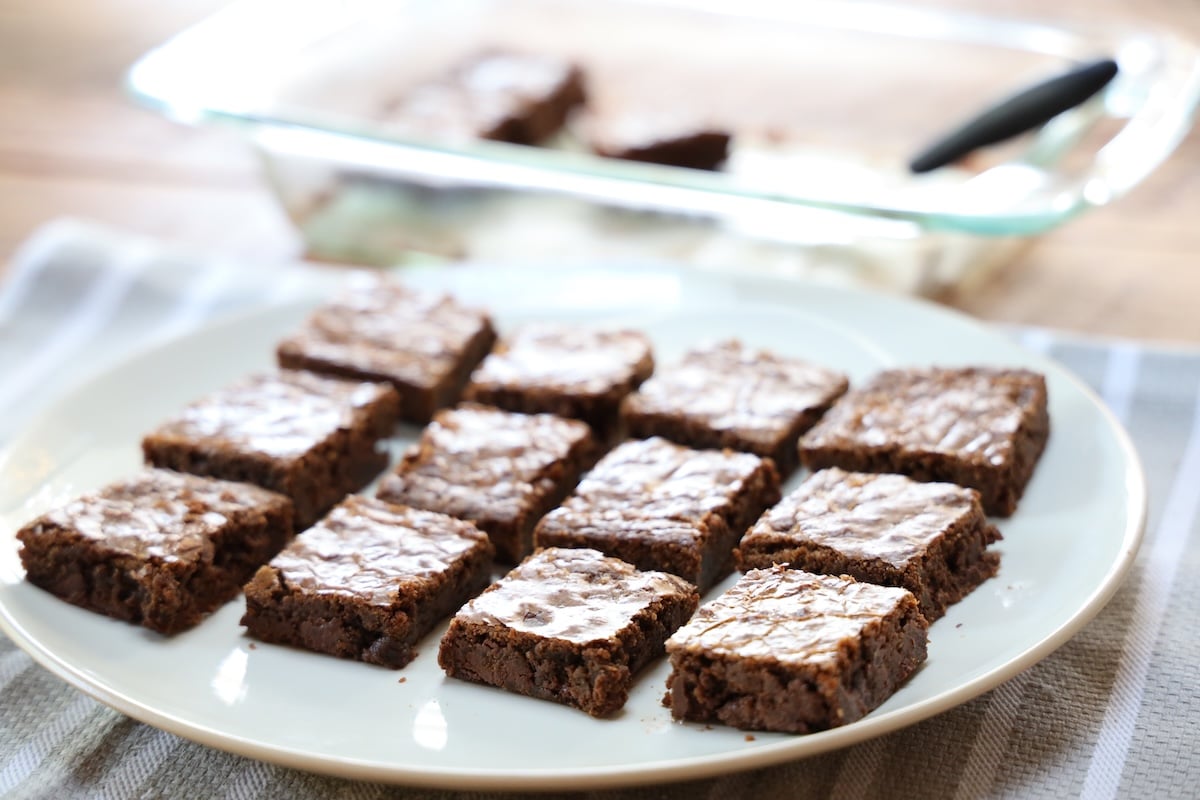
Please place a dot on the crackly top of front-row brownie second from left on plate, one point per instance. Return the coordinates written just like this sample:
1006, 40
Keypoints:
373, 551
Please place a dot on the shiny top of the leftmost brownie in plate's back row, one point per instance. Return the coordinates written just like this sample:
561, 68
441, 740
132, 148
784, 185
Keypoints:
379, 326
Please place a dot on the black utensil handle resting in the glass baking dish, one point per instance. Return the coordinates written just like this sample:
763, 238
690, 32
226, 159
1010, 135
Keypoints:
1023, 112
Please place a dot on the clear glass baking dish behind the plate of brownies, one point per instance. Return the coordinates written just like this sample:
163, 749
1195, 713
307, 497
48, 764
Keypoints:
827, 103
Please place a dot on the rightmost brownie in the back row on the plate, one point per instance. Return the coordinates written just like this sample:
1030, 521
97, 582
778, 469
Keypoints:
980, 428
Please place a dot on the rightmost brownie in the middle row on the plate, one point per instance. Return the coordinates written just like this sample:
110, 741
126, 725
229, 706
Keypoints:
931, 539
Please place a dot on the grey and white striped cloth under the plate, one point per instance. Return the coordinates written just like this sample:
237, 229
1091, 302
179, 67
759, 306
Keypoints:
1113, 714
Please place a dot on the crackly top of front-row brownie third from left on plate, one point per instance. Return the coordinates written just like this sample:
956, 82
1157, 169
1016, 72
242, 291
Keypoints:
578, 596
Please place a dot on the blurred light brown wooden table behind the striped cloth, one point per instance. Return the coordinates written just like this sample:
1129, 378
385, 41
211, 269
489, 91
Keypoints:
73, 145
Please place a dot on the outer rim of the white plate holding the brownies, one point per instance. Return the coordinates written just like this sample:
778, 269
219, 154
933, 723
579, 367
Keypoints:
604, 778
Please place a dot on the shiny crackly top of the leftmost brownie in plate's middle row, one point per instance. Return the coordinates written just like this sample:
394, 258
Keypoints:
281, 416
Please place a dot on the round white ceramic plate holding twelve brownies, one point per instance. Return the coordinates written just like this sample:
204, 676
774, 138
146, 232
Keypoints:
1064, 555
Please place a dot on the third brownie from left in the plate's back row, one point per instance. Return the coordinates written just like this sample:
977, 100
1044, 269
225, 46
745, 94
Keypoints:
725, 395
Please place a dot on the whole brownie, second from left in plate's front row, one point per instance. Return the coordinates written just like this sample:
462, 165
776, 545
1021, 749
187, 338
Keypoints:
368, 582
